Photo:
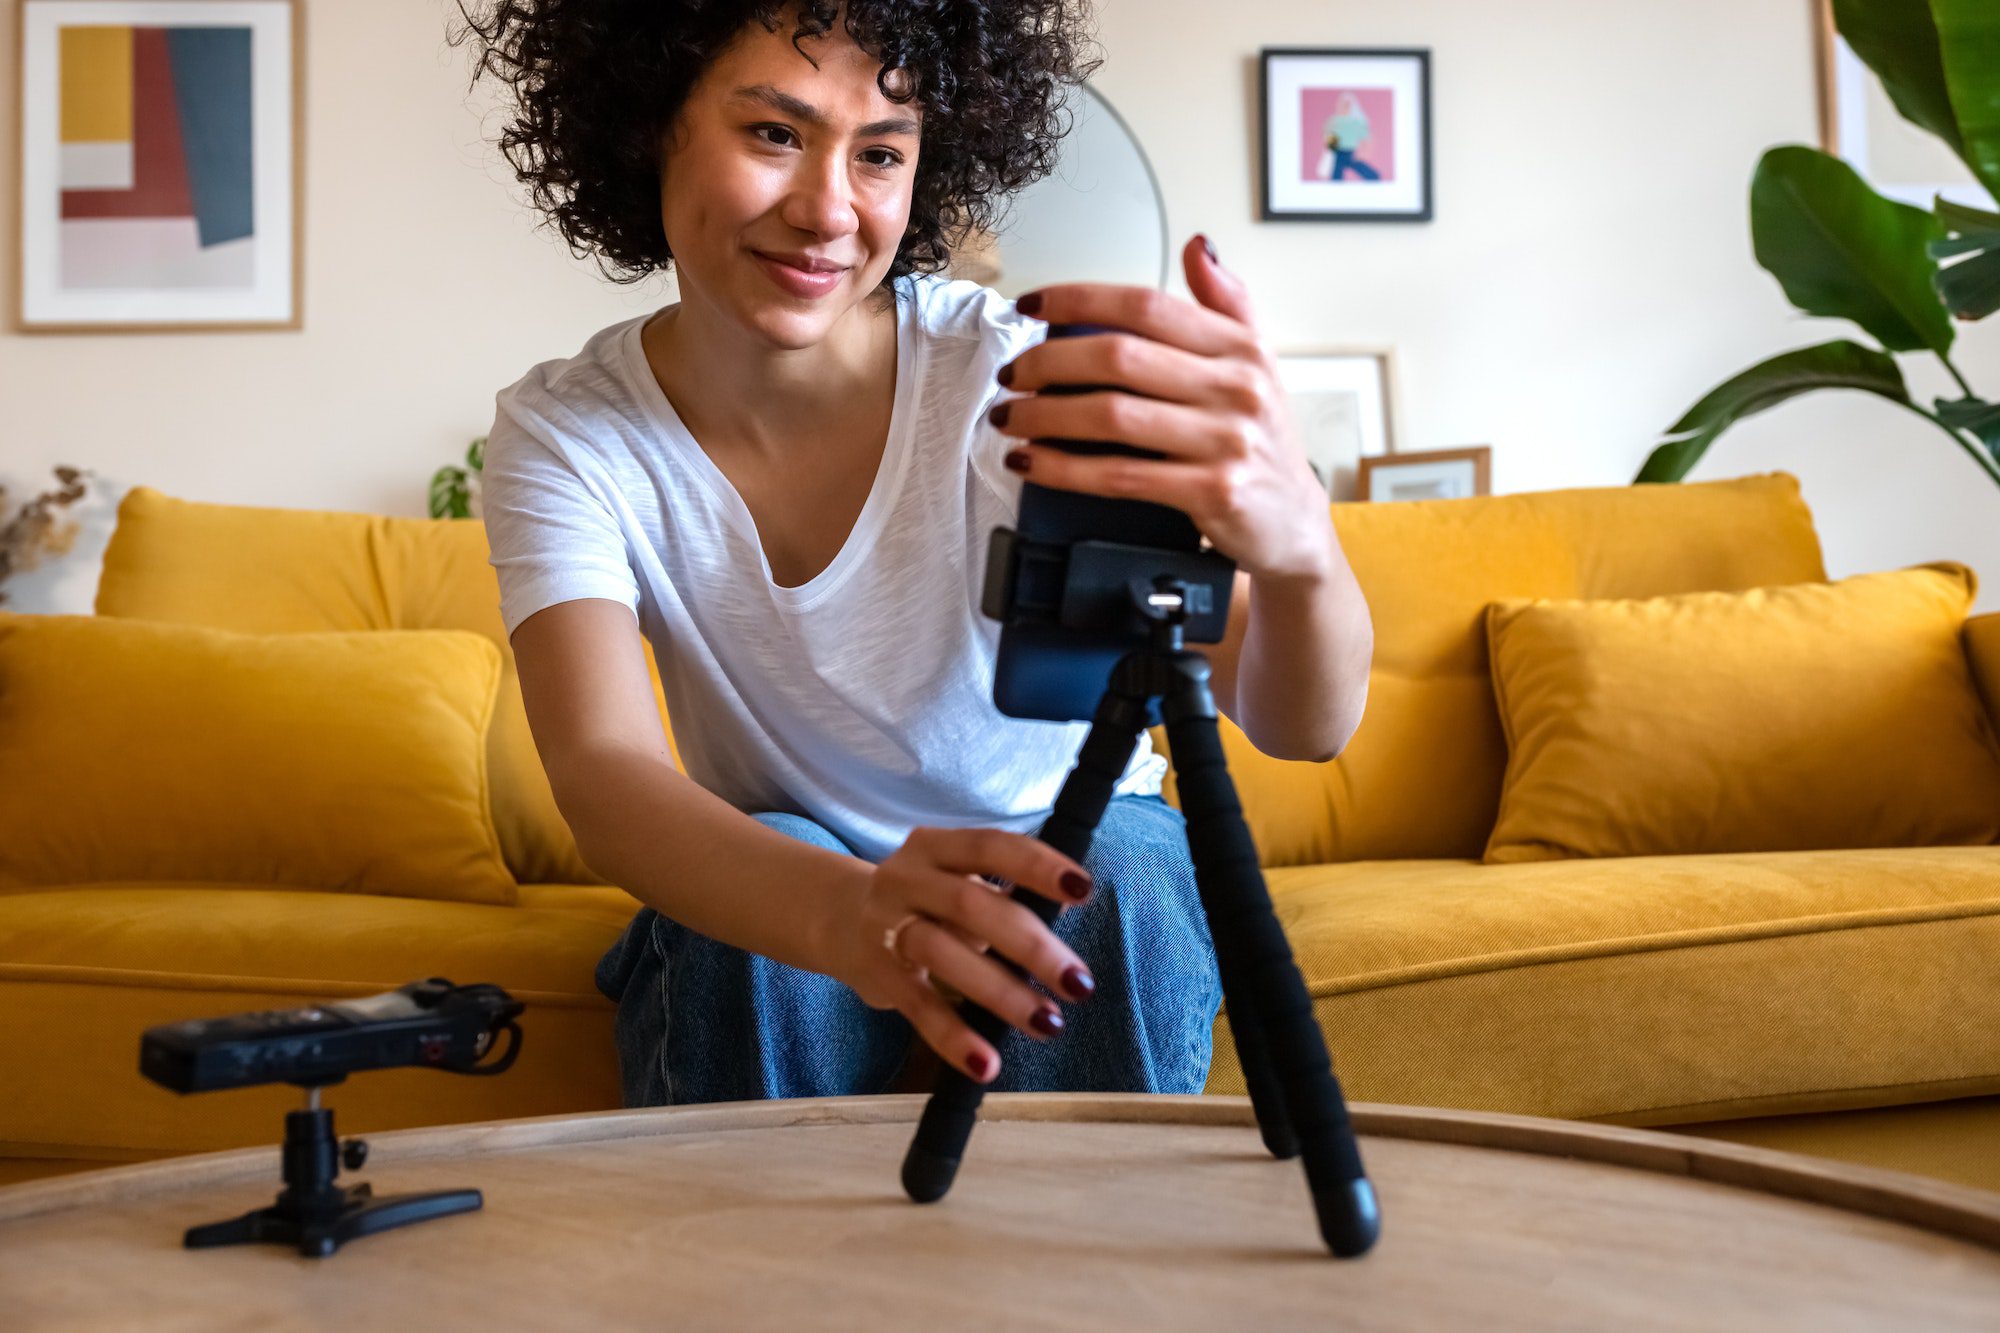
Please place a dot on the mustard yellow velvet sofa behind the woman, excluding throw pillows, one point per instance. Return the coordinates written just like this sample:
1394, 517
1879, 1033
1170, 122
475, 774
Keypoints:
1829, 1002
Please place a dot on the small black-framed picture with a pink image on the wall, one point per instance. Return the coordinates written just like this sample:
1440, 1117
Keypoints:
1345, 133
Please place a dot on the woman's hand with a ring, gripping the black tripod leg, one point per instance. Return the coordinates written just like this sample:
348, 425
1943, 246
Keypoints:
963, 920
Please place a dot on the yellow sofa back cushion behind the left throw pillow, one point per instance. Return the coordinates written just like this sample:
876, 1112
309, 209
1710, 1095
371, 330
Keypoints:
289, 571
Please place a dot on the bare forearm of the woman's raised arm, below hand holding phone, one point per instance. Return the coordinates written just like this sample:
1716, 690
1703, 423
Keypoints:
1303, 674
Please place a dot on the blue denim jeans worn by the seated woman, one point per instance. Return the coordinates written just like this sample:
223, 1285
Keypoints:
707, 1022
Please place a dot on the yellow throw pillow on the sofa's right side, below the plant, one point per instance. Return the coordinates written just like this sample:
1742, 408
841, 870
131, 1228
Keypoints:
1791, 718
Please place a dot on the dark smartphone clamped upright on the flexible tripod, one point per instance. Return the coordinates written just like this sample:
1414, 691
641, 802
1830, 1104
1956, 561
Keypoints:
1047, 672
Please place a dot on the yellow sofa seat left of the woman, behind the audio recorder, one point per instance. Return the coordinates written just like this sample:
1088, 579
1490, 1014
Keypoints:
87, 968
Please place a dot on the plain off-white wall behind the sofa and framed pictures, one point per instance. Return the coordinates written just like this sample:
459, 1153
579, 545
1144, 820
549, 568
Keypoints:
1587, 279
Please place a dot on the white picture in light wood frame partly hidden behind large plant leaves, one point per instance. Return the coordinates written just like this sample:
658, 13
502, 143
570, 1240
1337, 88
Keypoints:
1863, 127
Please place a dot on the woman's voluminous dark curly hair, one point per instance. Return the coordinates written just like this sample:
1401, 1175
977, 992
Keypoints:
599, 83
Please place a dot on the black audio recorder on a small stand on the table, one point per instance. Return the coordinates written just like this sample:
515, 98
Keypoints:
423, 1024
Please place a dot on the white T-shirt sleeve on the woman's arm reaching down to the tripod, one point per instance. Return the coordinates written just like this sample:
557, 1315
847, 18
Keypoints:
551, 539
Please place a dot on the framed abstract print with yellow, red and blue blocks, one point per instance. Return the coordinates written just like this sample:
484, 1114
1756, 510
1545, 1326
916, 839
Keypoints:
161, 163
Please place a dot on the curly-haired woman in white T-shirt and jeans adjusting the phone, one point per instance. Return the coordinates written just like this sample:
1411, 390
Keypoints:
785, 481
